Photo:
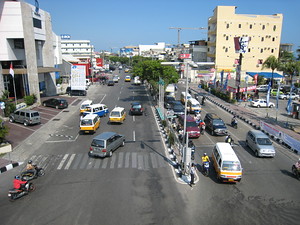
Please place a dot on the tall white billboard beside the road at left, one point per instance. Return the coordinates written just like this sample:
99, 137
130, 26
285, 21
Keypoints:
78, 77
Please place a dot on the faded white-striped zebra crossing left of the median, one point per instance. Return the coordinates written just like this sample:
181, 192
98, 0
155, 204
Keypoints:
119, 160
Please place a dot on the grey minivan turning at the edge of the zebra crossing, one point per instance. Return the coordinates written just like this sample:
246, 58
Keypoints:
105, 144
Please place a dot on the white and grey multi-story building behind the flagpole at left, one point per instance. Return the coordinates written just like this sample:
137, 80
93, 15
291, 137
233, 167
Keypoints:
28, 43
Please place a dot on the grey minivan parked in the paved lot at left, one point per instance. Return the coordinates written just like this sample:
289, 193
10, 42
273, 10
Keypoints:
25, 116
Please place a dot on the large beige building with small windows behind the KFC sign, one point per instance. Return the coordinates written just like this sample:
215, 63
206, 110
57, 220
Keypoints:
264, 32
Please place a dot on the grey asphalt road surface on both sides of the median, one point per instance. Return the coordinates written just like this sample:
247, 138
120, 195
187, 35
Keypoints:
137, 185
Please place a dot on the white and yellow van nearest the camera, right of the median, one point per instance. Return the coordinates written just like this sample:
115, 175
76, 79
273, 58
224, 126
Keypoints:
226, 163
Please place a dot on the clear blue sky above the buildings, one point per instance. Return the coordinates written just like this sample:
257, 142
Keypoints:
113, 24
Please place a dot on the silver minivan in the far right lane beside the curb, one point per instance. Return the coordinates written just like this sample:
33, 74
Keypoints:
260, 143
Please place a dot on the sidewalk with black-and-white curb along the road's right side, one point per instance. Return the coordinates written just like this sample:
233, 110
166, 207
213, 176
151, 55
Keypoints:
249, 115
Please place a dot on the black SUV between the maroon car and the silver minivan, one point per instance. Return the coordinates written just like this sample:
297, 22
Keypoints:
215, 124
